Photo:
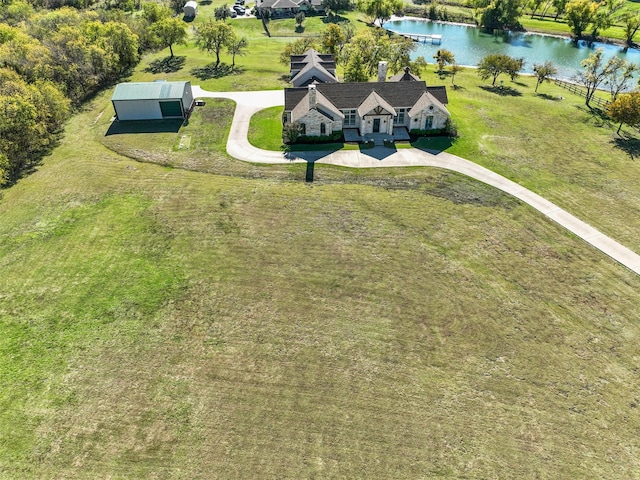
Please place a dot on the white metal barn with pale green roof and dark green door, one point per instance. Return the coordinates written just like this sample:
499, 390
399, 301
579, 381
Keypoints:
152, 100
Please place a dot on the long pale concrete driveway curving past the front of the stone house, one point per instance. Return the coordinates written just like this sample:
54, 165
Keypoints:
238, 146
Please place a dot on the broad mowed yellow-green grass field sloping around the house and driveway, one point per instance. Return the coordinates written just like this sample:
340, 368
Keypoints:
174, 313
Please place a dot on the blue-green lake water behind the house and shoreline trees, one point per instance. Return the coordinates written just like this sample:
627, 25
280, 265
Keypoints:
470, 44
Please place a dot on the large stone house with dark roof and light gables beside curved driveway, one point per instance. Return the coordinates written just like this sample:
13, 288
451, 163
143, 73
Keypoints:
359, 109
